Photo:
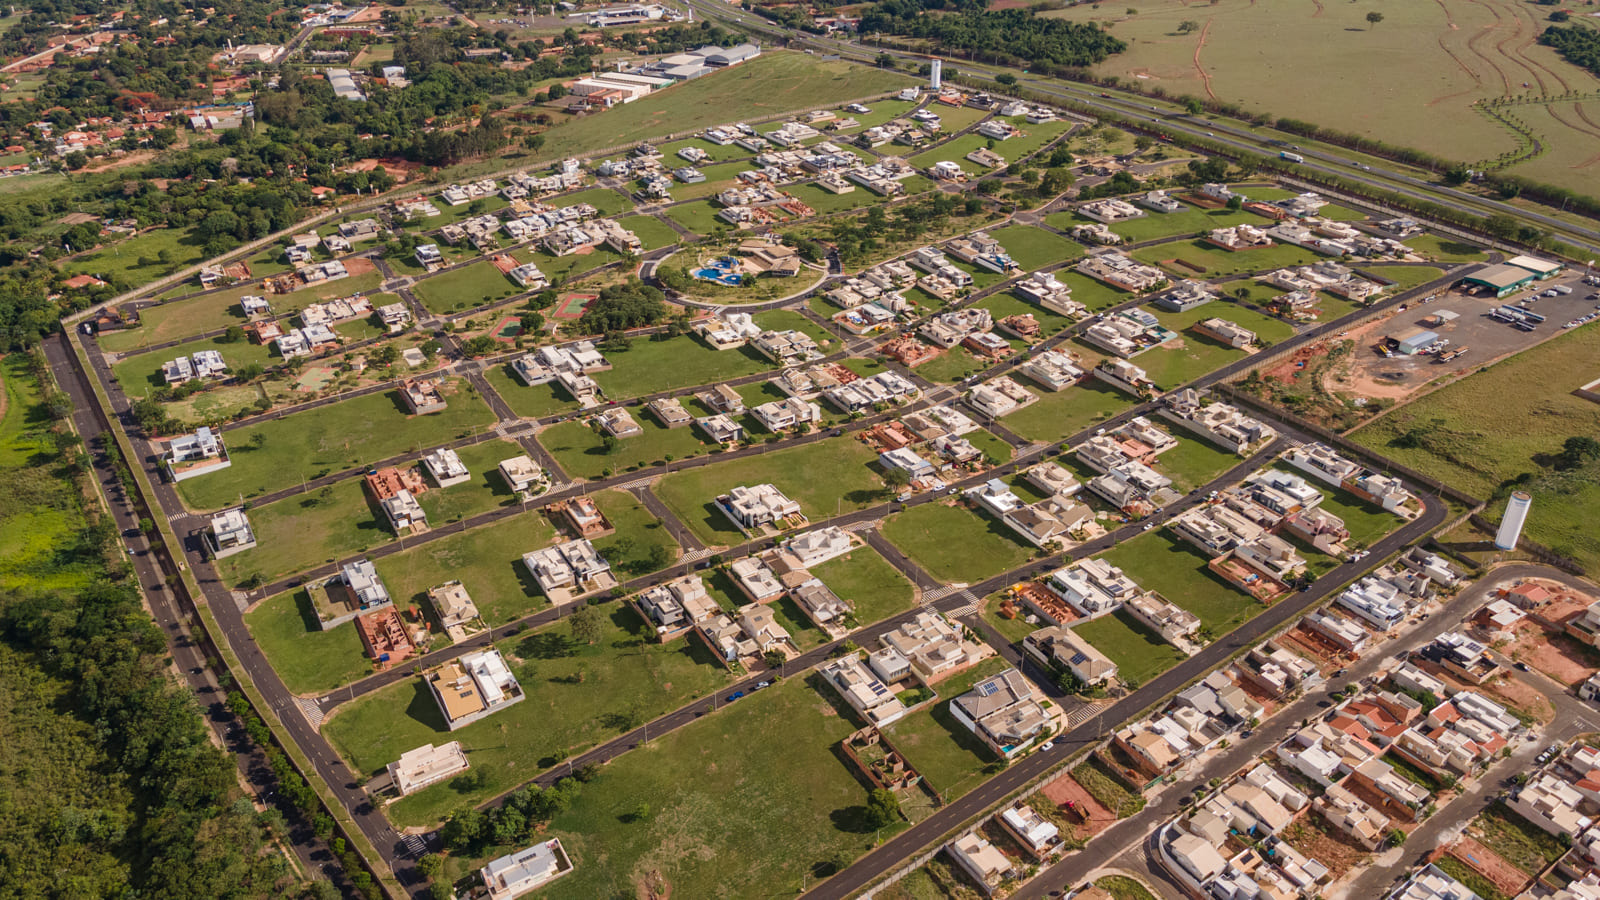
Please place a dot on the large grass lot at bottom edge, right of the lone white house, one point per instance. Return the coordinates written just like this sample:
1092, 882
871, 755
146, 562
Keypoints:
758, 782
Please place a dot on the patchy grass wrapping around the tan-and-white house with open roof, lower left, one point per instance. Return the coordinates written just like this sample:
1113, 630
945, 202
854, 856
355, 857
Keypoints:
575, 697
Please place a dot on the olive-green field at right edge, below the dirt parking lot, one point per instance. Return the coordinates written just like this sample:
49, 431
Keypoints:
1468, 436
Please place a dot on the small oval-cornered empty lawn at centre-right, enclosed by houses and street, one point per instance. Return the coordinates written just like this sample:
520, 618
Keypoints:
954, 544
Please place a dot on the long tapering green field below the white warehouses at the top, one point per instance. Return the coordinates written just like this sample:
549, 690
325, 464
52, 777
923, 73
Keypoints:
767, 86
